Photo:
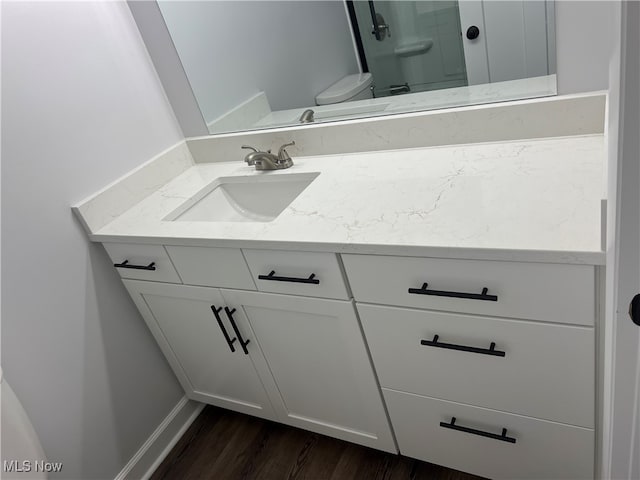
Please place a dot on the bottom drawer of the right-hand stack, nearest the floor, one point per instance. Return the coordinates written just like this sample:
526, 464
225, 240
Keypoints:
542, 450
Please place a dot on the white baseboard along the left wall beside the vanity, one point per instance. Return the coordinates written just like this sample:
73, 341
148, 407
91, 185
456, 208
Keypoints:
162, 440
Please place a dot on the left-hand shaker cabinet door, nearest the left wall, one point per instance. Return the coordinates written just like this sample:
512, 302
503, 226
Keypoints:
192, 337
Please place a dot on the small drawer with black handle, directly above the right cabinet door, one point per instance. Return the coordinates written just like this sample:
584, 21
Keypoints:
297, 273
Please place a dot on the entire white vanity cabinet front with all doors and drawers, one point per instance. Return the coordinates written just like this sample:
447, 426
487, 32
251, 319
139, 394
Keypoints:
484, 366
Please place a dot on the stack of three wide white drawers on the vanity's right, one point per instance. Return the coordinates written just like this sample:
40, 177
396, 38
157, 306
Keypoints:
485, 366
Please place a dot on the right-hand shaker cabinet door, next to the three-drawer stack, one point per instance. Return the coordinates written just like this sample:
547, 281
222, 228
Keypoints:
324, 381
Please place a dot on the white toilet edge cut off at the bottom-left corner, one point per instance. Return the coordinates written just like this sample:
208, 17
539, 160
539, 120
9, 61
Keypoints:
19, 440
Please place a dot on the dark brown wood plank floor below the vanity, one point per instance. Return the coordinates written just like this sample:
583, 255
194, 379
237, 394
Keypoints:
222, 444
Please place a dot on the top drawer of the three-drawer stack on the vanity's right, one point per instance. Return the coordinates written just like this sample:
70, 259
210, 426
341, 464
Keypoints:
550, 292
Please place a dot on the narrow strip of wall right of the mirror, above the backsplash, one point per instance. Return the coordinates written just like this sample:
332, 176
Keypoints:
586, 36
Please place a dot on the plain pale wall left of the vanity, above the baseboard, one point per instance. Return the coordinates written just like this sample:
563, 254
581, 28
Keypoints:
81, 106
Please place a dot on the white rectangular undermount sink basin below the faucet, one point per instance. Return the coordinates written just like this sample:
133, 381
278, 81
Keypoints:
243, 199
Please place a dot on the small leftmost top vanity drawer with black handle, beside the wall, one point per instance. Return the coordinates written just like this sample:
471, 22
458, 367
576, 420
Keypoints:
142, 262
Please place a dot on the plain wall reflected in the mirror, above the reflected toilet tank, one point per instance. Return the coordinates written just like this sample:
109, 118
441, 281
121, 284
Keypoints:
290, 50
